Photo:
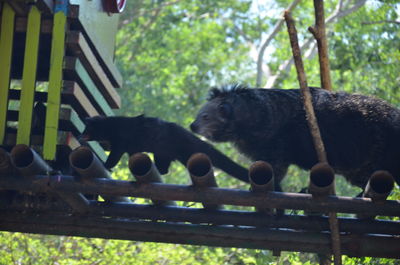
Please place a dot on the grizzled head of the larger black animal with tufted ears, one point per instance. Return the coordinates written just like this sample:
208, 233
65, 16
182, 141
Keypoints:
220, 118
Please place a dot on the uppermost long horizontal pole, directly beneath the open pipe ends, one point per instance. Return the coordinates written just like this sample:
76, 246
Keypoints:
281, 200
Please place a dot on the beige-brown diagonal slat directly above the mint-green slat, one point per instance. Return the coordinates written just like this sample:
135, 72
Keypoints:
80, 47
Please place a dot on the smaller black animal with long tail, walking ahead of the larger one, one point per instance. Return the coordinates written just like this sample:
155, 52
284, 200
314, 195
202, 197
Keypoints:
166, 140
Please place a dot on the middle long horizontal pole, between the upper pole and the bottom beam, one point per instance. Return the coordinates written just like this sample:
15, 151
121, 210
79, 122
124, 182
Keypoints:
32, 204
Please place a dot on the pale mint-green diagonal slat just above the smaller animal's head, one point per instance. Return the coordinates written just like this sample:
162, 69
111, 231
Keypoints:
76, 71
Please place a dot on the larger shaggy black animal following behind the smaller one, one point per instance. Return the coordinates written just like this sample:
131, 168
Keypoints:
361, 134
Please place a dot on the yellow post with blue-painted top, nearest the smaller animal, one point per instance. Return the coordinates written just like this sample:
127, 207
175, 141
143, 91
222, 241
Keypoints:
55, 81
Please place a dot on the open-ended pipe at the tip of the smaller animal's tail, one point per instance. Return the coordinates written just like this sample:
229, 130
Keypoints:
261, 176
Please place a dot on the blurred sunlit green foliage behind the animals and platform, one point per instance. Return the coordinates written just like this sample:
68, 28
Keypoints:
170, 52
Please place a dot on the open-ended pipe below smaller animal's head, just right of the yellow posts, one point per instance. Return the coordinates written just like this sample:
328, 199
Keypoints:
86, 163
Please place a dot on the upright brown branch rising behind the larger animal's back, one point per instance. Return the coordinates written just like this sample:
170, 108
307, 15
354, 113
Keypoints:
319, 34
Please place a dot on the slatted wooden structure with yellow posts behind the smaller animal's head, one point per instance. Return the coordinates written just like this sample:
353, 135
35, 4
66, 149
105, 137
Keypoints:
62, 53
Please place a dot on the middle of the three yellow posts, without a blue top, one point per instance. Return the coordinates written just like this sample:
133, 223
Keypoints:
29, 76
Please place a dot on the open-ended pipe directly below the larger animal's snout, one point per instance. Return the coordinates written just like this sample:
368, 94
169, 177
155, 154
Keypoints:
202, 175
